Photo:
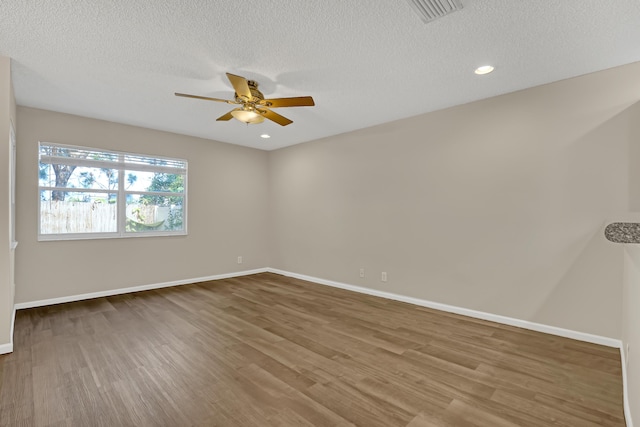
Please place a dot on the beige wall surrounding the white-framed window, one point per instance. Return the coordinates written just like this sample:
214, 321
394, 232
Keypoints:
227, 213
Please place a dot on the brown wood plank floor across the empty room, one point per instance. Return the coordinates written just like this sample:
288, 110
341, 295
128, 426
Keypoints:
266, 350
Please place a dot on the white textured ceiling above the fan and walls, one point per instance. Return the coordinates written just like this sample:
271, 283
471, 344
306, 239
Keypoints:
365, 62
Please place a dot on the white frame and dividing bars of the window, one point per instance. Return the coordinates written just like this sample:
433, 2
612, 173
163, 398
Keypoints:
136, 162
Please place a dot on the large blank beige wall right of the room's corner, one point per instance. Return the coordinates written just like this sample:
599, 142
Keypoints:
497, 206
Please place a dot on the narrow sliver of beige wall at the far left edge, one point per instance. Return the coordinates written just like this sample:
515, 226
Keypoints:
7, 106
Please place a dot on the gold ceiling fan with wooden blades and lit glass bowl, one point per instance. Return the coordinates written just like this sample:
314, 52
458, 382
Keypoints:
253, 107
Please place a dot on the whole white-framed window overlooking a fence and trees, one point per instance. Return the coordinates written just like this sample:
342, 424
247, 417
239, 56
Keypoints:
85, 193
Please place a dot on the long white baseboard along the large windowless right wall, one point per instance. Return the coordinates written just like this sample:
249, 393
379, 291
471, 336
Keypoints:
553, 330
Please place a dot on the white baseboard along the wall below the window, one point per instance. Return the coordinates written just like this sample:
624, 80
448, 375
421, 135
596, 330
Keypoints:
80, 297
